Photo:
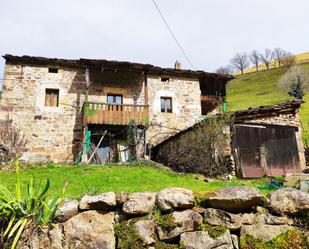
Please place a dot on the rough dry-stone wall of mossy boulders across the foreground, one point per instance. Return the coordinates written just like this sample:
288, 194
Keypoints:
176, 218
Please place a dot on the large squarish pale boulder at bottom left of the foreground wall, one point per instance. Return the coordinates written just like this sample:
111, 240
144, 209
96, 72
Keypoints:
90, 229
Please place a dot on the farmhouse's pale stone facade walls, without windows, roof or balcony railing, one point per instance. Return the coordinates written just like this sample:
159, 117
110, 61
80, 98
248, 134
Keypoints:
56, 133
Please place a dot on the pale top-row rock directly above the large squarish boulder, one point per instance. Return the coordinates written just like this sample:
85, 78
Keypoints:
105, 201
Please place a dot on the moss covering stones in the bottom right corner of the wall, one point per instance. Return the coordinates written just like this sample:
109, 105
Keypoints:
292, 239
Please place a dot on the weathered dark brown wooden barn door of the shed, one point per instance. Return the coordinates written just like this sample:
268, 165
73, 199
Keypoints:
265, 150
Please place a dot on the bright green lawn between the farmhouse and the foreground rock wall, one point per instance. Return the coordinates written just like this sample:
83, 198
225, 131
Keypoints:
116, 178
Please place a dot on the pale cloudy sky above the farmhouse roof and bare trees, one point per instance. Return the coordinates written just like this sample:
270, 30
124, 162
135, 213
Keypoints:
210, 32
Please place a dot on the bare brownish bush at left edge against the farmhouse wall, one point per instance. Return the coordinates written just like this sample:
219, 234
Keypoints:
12, 142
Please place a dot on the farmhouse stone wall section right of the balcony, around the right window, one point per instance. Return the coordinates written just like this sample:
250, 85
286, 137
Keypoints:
186, 106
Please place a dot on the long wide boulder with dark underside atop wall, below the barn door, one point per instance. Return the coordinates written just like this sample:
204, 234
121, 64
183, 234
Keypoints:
236, 199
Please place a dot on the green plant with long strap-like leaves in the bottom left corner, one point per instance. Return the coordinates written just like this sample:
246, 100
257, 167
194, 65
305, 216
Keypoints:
28, 208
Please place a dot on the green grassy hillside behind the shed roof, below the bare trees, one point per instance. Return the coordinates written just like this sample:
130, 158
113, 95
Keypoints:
256, 89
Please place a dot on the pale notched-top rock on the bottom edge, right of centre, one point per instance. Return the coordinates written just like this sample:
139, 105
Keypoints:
202, 240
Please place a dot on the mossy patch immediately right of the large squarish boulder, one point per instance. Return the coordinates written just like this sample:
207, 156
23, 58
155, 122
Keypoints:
127, 236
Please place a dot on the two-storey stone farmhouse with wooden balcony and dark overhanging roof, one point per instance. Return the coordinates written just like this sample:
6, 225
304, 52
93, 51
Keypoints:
61, 105
